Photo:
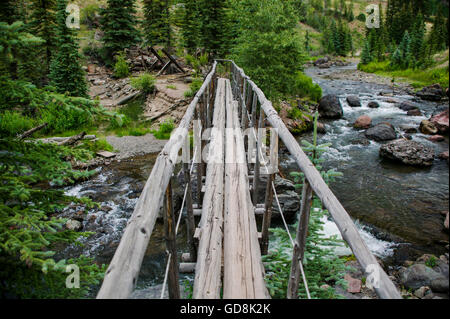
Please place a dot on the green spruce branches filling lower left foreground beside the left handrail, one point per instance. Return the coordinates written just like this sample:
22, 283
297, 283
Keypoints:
28, 226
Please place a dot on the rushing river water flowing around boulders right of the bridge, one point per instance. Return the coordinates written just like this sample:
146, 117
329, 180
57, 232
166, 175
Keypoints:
399, 200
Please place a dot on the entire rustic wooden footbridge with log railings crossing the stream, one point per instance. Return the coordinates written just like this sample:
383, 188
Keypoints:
226, 247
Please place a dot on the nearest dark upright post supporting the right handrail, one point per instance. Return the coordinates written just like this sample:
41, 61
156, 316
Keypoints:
300, 241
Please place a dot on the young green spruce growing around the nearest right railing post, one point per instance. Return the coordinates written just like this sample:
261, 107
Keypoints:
320, 265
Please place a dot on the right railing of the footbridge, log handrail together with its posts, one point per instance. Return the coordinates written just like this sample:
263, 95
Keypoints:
248, 96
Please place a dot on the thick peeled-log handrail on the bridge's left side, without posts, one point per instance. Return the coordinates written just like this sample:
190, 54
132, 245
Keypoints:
122, 273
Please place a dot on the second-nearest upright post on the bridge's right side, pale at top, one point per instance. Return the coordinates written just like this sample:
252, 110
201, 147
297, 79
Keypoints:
269, 193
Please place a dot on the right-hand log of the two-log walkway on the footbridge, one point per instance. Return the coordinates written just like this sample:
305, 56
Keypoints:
243, 268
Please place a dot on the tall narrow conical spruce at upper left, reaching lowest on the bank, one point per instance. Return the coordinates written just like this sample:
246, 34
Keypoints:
66, 73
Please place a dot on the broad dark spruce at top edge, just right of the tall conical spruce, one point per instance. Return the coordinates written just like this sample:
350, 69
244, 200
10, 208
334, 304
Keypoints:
119, 25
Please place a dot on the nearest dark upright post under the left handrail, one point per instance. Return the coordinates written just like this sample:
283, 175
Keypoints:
169, 226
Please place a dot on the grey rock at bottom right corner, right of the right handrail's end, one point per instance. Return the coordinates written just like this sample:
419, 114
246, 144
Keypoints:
420, 275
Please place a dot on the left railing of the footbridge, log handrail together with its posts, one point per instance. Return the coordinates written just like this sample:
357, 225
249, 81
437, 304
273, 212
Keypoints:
122, 273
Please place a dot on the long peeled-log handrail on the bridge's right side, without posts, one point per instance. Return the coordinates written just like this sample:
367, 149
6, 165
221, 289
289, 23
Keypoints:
383, 285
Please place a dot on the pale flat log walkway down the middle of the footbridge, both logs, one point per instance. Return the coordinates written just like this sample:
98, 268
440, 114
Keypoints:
228, 213
